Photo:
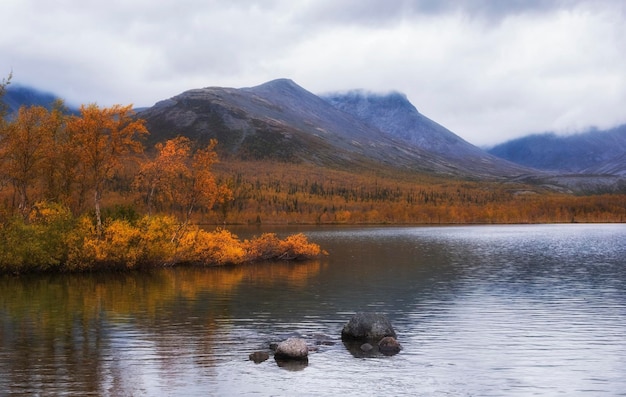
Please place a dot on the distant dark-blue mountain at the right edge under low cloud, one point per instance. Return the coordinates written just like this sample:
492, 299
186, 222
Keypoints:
593, 152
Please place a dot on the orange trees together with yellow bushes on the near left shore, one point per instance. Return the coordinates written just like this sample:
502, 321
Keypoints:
77, 192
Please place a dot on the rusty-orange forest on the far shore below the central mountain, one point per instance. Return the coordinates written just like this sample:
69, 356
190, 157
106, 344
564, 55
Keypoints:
272, 193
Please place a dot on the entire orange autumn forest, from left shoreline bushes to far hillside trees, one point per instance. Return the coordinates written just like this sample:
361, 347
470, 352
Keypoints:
82, 191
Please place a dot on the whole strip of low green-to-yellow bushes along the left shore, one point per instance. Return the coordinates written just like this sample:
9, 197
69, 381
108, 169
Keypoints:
52, 239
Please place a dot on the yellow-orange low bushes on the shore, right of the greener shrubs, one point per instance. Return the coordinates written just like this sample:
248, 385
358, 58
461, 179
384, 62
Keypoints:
158, 241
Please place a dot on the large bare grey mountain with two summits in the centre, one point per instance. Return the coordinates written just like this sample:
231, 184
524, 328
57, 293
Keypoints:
282, 121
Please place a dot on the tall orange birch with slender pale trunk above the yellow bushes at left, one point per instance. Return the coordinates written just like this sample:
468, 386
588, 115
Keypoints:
104, 137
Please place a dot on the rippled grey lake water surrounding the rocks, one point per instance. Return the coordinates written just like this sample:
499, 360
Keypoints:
479, 310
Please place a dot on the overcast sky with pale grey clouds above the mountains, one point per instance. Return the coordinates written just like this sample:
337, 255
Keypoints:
489, 70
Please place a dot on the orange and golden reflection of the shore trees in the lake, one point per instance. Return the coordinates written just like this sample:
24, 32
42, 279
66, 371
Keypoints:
77, 333
